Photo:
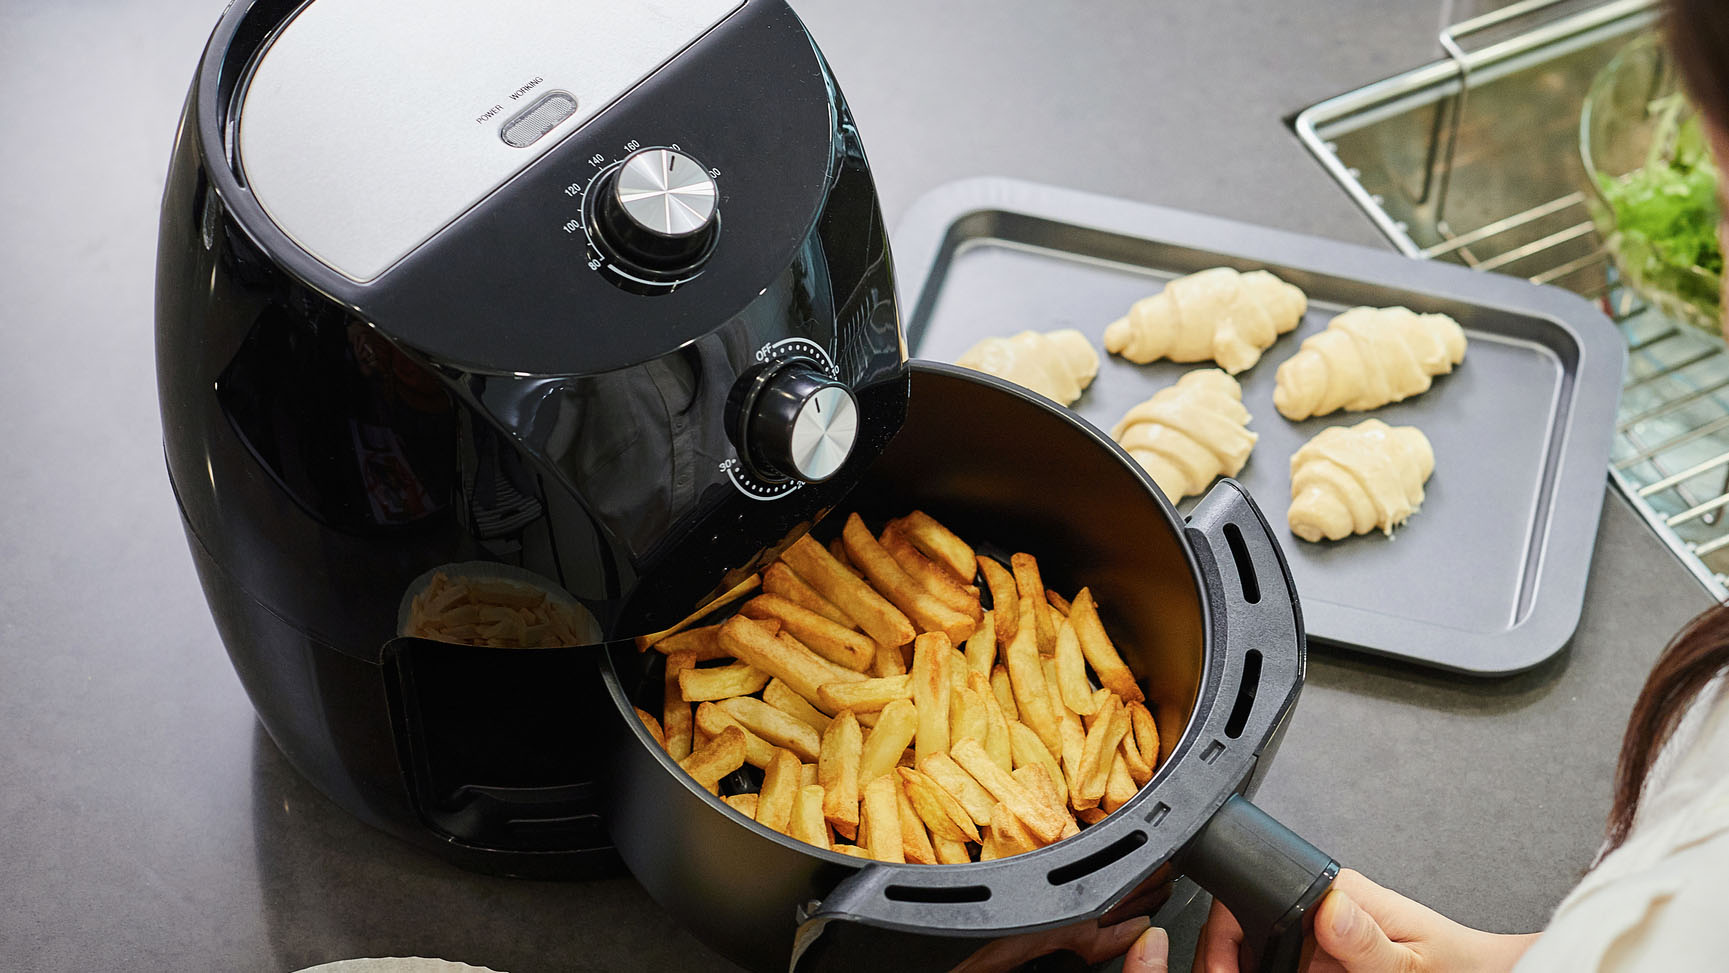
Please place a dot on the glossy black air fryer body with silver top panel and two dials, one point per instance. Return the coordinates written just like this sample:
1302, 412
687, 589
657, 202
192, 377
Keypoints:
535, 390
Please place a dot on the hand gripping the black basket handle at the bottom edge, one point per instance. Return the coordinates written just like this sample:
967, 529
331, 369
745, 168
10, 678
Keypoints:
1367, 929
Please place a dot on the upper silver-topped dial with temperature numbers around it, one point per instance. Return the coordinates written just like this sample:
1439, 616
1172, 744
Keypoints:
656, 213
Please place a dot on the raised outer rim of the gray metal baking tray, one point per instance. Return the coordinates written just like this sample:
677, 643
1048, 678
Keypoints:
1566, 552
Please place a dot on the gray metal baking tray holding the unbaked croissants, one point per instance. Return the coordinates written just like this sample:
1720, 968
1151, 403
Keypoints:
1490, 578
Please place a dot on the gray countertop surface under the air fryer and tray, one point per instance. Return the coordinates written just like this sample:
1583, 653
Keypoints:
148, 824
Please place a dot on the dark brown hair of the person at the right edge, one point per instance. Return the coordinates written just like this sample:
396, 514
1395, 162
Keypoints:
1699, 35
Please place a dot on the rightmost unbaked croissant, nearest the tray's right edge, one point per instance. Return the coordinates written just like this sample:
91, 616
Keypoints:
1367, 359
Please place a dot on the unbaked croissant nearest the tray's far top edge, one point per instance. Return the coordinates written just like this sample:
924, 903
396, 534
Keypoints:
1218, 315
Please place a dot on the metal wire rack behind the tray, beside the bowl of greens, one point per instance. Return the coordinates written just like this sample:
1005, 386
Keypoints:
1474, 160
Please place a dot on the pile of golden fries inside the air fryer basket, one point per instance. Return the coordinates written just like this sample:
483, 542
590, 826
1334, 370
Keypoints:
988, 741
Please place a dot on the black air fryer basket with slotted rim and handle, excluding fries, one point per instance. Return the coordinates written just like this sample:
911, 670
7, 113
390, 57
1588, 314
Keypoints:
1203, 613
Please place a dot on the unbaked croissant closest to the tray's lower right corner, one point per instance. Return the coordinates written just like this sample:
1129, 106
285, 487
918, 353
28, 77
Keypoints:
1355, 480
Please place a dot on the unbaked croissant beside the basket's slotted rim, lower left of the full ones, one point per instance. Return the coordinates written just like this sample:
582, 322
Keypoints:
1190, 433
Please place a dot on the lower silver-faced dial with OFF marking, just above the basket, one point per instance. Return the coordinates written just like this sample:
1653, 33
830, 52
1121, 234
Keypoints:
800, 424
